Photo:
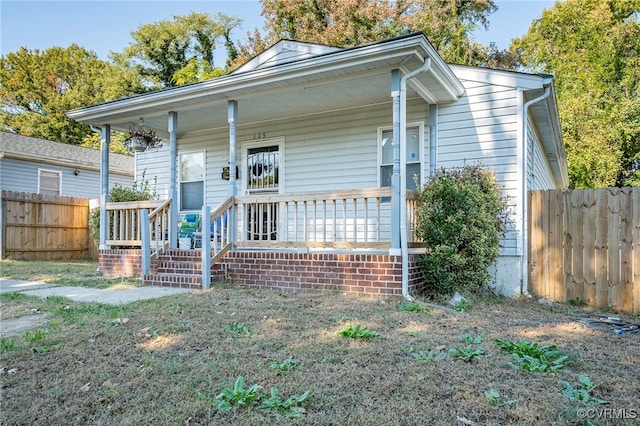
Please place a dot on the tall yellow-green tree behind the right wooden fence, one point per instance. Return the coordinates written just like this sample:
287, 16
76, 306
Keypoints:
592, 47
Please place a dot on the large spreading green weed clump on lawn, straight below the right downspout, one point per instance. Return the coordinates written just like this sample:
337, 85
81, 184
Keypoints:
531, 357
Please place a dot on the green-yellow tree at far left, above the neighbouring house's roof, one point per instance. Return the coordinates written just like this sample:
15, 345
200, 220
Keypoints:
37, 87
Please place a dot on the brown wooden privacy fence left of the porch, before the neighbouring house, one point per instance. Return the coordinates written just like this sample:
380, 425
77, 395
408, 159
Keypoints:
44, 227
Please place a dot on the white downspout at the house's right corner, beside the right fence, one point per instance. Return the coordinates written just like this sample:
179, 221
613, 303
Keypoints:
524, 259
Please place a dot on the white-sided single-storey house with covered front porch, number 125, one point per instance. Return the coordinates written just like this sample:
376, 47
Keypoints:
311, 152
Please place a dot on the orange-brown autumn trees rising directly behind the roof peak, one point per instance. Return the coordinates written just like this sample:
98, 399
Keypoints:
448, 24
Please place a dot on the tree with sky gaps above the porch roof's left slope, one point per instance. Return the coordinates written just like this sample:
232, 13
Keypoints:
179, 51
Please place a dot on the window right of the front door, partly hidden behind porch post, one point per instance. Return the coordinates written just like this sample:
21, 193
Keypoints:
413, 156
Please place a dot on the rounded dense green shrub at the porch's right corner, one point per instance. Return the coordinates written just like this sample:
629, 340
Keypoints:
461, 221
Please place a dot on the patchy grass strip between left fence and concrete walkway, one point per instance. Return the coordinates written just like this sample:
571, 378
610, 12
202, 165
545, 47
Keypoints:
68, 272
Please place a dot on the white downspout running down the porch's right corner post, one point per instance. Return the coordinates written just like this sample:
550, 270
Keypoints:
404, 246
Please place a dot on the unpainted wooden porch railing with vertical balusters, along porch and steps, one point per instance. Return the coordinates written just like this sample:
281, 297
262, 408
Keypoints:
342, 219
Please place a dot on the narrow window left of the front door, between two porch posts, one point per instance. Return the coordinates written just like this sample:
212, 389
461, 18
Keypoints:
192, 181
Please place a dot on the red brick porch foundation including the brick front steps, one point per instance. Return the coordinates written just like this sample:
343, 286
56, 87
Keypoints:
361, 274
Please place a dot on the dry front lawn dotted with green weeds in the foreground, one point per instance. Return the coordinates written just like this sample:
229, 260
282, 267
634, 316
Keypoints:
176, 360
